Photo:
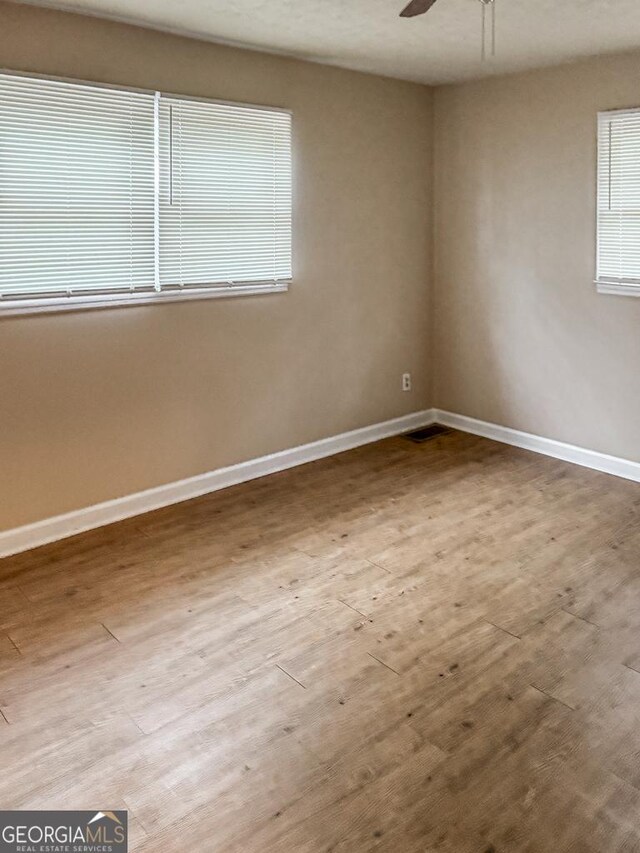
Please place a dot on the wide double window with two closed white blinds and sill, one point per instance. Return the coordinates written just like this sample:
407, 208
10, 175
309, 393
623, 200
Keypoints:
109, 196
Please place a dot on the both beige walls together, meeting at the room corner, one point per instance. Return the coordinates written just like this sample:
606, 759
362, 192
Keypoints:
100, 404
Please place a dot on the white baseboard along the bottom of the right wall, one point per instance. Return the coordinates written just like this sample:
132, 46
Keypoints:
548, 447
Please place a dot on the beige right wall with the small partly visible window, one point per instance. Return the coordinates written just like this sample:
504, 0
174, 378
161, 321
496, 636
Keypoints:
521, 337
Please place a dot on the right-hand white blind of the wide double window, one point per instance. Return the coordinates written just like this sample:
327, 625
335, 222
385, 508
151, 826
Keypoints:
225, 194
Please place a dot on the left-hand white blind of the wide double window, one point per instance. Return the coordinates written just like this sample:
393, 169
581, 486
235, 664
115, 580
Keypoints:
76, 188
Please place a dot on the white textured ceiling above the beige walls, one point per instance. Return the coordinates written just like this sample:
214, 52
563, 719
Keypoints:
368, 35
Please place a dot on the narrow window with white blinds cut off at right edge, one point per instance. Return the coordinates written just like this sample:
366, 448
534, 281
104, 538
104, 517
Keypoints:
618, 261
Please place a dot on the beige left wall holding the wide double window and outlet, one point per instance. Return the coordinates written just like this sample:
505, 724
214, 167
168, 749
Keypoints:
99, 404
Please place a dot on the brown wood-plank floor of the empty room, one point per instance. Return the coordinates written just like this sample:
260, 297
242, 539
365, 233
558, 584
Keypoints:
402, 648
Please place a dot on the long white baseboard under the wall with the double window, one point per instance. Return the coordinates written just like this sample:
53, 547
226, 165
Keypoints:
60, 527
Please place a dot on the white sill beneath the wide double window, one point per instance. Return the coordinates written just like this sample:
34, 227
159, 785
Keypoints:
44, 305
